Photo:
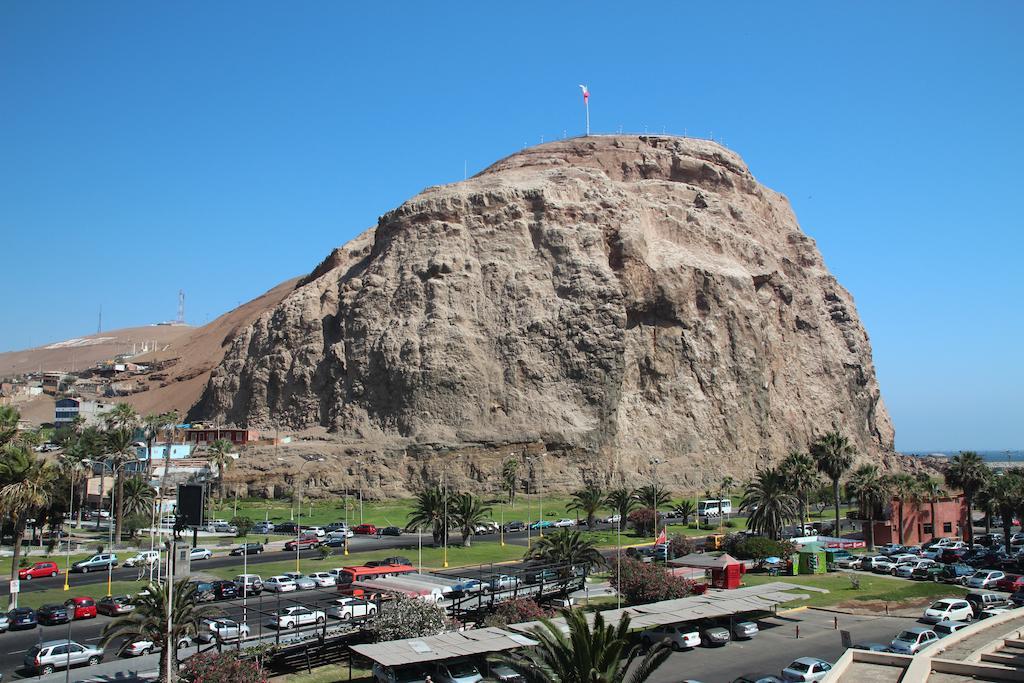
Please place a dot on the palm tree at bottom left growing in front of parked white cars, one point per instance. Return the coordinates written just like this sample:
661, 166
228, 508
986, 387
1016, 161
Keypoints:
149, 620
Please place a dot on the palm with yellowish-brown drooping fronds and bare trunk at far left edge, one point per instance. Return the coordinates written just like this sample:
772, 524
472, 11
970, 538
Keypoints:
27, 488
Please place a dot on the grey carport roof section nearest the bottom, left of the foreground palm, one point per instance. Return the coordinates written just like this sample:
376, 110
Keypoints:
445, 647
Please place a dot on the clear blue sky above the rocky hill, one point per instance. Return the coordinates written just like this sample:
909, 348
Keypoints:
223, 148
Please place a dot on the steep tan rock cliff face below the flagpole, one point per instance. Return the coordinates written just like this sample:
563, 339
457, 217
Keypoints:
616, 298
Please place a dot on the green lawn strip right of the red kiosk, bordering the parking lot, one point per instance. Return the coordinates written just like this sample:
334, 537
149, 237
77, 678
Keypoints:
898, 592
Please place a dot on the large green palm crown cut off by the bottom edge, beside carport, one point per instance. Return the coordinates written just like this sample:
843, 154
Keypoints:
603, 654
